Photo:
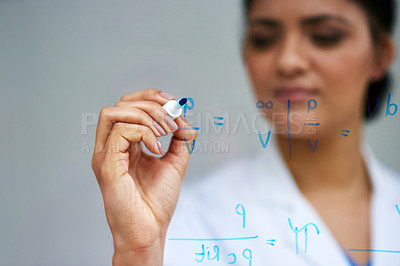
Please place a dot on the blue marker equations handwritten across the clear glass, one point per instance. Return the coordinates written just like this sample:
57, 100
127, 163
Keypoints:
209, 250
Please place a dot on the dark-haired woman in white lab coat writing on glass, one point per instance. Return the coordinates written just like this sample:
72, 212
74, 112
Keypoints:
330, 51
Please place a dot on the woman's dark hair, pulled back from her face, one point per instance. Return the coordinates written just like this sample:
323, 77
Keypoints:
381, 19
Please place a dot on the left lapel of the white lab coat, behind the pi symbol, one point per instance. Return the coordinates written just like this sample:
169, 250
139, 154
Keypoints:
282, 192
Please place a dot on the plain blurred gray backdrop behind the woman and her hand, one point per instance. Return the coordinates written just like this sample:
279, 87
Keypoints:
60, 60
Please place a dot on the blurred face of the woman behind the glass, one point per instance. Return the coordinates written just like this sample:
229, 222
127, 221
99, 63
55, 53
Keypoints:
318, 50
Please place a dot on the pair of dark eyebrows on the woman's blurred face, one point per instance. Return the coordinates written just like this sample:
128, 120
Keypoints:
309, 21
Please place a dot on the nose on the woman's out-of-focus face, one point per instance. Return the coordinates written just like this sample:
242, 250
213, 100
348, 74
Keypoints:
291, 59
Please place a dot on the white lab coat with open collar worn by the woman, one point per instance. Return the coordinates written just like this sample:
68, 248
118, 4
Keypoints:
269, 195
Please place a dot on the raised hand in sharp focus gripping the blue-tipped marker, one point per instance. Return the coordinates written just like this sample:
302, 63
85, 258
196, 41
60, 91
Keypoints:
140, 191
